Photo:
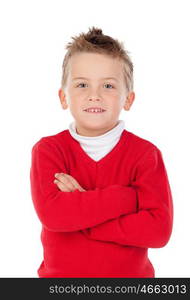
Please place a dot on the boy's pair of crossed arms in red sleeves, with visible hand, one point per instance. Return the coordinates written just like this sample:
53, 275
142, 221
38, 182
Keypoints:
140, 215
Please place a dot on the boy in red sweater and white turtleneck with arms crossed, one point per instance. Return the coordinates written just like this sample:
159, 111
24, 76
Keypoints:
101, 192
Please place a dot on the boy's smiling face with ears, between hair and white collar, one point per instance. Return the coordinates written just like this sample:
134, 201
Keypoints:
95, 91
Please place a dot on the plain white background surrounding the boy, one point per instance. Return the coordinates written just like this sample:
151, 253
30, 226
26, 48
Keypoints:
32, 45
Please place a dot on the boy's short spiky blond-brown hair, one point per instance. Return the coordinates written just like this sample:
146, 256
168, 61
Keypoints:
95, 41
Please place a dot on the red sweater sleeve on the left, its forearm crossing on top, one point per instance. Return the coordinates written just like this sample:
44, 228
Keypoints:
72, 211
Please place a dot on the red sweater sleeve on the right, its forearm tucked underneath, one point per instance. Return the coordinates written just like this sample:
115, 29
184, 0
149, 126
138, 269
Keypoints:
151, 225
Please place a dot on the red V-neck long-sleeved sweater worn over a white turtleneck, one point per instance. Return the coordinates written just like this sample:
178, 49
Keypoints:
106, 230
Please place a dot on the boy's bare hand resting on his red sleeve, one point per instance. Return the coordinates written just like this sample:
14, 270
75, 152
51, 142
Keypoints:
67, 183
